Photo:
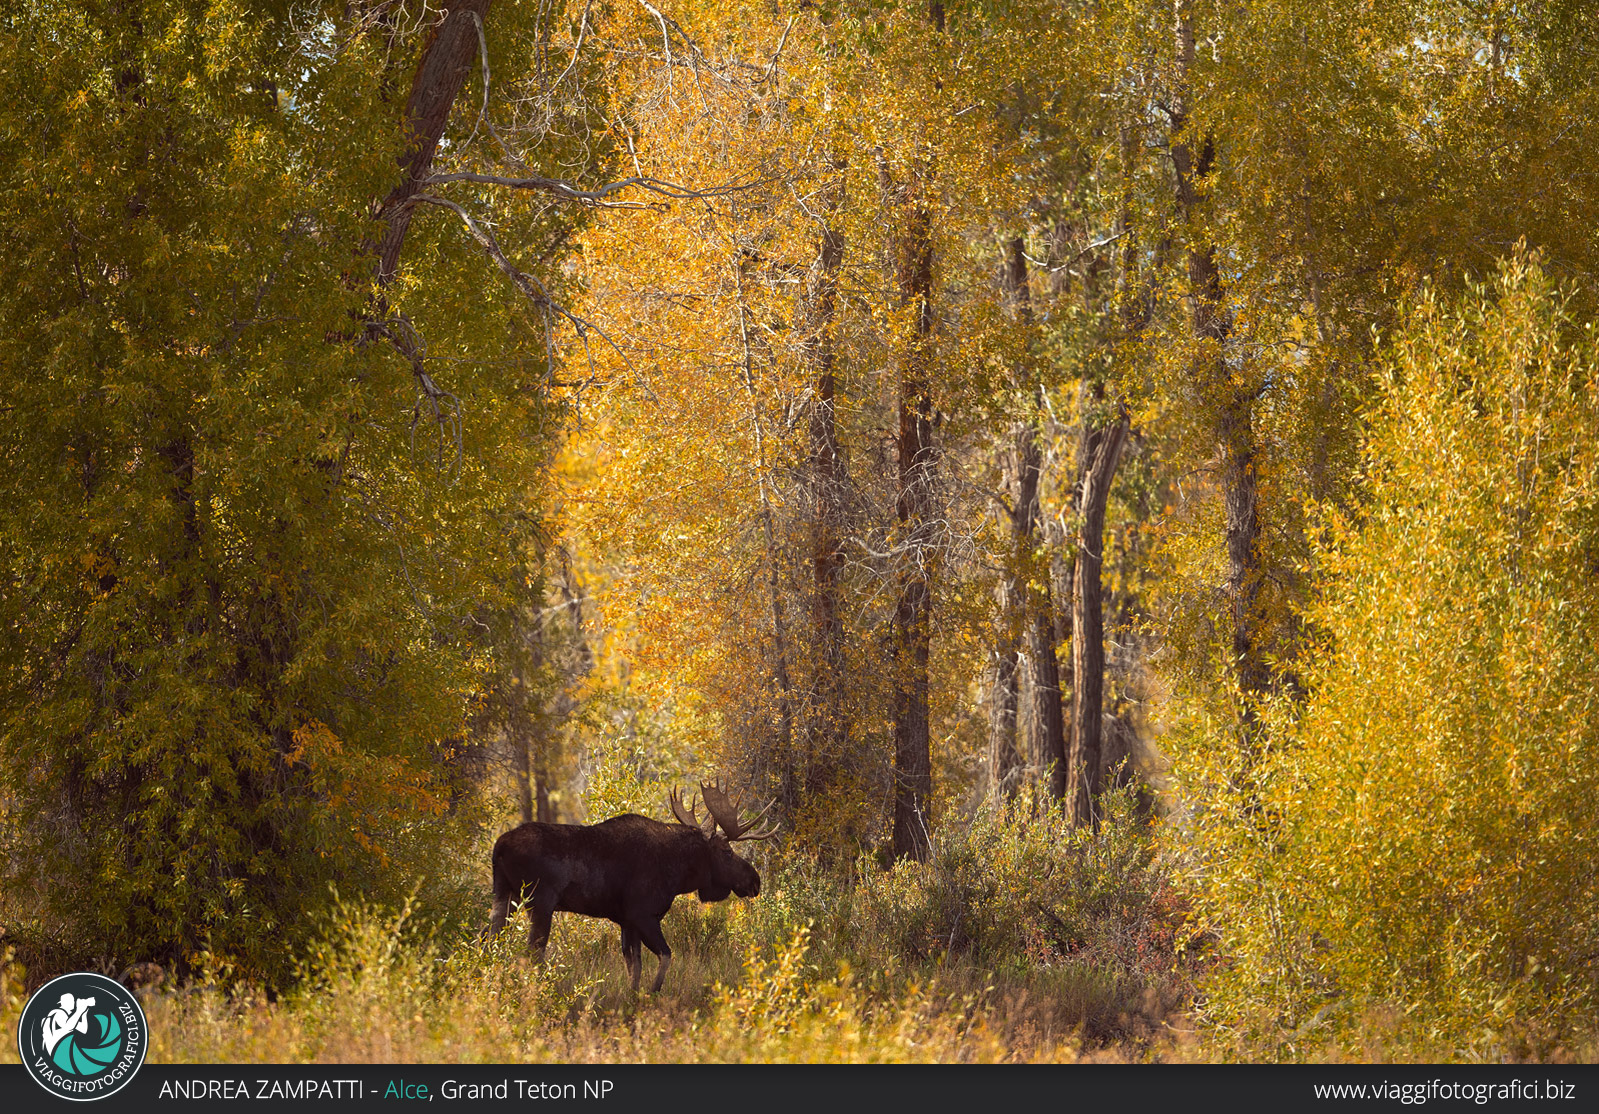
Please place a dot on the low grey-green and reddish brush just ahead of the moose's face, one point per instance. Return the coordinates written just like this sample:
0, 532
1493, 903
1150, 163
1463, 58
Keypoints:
1016, 899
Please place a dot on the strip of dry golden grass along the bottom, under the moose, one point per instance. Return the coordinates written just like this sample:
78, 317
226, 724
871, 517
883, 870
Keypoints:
377, 989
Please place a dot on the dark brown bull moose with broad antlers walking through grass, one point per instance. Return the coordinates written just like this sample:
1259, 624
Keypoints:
628, 870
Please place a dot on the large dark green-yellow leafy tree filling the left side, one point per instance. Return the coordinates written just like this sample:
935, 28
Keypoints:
252, 546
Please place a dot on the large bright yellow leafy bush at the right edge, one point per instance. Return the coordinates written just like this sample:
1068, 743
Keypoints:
1422, 841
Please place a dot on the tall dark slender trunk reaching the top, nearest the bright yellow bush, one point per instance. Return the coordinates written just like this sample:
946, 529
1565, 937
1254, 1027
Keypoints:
1230, 402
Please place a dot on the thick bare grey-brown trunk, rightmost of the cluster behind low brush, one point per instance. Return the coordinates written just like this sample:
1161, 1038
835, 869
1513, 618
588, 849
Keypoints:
1103, 452
